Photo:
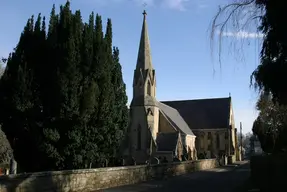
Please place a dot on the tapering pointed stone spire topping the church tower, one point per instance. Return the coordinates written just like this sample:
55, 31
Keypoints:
144, 54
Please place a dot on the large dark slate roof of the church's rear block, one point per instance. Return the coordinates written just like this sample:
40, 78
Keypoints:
203, 113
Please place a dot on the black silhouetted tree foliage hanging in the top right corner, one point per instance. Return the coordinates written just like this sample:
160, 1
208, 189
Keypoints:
270, 75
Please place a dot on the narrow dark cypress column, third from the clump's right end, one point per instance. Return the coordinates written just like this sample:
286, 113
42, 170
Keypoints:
90, 94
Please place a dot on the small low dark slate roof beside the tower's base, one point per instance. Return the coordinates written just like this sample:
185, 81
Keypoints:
167, 141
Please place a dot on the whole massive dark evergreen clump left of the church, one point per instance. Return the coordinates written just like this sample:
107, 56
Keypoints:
63, 98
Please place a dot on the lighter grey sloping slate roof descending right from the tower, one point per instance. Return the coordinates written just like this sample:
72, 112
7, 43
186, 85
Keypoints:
175, 118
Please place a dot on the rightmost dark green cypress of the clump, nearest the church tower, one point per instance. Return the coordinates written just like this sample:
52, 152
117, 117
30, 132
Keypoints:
117, 97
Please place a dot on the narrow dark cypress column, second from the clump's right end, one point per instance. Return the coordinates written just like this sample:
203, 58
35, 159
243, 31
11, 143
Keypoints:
101, 70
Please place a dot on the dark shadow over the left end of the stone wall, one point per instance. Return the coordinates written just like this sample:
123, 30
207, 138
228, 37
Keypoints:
44, 182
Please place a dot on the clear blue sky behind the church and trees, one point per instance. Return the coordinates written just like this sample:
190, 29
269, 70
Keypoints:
180, 46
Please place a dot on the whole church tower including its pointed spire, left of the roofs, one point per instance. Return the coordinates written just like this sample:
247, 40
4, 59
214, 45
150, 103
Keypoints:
144, 112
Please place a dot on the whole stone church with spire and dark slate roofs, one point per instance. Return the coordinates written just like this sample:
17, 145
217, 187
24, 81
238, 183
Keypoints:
175, 130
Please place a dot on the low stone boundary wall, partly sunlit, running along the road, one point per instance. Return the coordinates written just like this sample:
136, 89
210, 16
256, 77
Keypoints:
94, 179
